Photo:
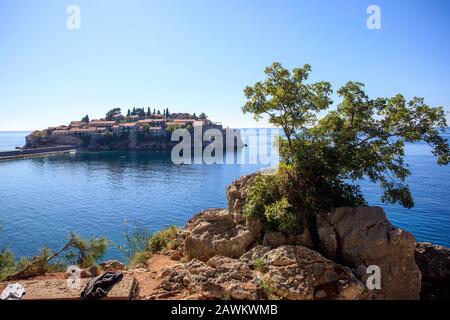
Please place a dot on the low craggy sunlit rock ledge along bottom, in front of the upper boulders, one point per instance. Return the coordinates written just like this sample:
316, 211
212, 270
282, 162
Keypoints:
289, 272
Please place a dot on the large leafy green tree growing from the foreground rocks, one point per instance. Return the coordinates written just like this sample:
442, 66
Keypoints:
322, 160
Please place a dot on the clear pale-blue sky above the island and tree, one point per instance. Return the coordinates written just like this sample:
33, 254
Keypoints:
194, 56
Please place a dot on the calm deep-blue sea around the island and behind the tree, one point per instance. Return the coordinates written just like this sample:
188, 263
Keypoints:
42, 199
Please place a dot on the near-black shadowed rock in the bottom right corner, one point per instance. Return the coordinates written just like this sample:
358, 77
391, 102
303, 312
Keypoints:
434, 264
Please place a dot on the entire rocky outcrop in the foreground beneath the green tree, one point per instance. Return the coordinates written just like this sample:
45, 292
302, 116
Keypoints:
228, 256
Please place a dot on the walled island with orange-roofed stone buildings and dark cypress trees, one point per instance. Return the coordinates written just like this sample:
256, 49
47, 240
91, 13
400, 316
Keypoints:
139, 129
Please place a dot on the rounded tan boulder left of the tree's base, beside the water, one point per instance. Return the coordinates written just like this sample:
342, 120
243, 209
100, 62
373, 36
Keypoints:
218, 232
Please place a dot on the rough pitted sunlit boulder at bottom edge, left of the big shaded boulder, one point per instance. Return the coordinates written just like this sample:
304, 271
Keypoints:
298, 273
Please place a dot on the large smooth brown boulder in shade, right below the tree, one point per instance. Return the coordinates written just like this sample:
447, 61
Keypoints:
361, 237
